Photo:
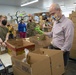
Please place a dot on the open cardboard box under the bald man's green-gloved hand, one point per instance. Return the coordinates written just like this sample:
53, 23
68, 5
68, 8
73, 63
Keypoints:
40, 41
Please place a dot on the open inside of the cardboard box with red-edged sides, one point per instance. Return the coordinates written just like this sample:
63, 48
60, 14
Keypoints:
18, 43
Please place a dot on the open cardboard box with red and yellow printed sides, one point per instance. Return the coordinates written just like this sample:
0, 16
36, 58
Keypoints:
17, 46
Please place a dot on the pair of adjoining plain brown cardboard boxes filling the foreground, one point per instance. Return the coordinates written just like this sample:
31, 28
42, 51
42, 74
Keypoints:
39, 62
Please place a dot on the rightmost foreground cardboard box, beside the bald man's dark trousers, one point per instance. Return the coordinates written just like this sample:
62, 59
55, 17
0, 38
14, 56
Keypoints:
56, 60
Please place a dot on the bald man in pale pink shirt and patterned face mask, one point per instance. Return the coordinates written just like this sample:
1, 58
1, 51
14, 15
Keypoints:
62, 32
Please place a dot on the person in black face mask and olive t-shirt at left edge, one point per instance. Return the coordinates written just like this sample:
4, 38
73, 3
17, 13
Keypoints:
3, 33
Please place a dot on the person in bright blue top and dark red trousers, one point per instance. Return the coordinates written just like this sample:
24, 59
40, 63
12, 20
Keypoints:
22, 29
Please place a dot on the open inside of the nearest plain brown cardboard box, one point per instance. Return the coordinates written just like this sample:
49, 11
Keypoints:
32, 58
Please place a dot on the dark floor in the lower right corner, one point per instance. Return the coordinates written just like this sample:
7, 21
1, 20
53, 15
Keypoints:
71, 68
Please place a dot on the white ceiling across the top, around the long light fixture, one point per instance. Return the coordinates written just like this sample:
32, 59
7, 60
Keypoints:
41, 4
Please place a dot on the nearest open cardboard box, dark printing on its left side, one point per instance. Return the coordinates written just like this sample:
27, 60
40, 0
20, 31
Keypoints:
38, 64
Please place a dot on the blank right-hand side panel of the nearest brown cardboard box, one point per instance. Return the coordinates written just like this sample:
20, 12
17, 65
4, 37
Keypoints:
41, 67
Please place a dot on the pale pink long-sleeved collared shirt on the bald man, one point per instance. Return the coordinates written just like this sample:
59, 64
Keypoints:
62, 34
